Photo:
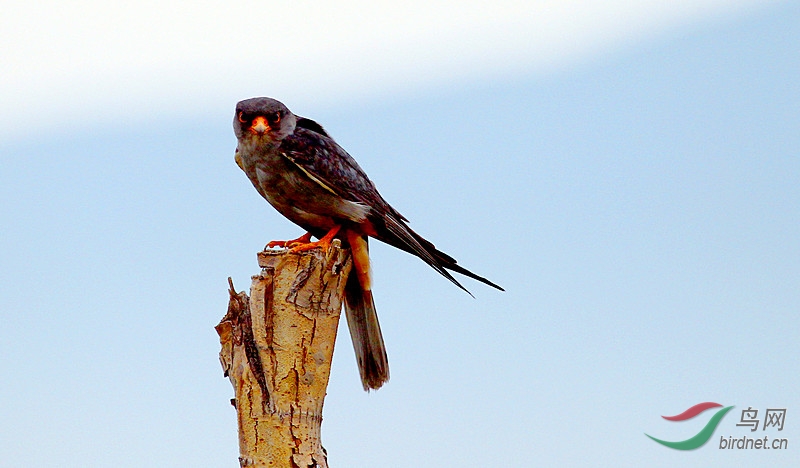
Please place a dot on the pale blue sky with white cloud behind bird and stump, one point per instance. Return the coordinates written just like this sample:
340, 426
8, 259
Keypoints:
634, 189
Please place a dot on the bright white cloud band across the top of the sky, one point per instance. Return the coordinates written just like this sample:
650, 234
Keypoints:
67, 62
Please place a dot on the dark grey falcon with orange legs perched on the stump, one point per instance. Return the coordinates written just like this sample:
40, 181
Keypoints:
312, 181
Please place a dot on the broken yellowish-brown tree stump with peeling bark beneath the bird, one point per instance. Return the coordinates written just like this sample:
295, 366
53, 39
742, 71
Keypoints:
277, 346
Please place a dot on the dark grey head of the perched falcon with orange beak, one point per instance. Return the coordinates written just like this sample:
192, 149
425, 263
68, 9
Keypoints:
263, 120
